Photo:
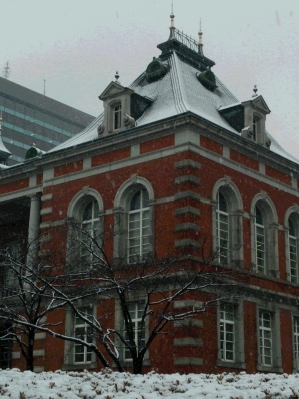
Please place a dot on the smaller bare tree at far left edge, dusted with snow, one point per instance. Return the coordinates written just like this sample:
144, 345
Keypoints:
28, 291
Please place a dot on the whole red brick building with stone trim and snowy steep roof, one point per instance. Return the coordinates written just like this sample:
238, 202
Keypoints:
202, 164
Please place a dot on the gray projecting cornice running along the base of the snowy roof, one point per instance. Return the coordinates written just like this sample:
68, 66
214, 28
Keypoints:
148, 132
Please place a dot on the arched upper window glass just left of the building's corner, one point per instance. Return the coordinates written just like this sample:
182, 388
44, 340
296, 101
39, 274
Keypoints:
138, 226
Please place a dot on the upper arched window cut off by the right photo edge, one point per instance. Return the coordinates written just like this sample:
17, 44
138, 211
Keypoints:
293, 266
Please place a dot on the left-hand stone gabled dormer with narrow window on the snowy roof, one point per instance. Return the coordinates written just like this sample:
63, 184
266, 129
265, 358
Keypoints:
117, 109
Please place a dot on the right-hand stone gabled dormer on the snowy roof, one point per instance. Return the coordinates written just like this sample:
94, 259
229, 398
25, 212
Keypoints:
255, 111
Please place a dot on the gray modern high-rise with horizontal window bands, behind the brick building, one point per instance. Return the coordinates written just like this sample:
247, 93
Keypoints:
30, 117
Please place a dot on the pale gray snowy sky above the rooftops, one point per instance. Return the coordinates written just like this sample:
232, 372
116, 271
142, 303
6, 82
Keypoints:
78, 45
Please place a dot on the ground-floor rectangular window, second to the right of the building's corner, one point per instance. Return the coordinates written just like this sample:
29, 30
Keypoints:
265, 339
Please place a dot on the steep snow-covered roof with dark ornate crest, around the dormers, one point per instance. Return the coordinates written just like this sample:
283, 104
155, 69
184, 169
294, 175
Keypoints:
180, 90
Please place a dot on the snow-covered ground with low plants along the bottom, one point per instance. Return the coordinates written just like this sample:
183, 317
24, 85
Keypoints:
108, 385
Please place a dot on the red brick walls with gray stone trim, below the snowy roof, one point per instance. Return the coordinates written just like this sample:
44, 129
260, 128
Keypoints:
186, 161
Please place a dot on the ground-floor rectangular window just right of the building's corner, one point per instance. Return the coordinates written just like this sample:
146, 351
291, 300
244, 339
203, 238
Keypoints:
227, 333
